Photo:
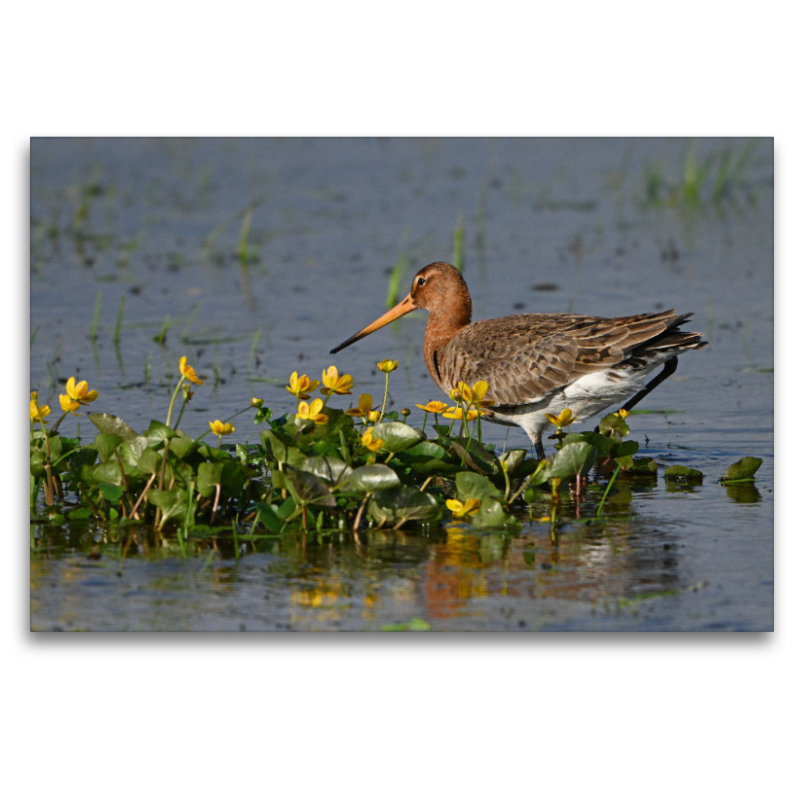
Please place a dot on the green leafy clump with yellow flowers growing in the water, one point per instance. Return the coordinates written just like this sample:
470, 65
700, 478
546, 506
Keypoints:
324, 470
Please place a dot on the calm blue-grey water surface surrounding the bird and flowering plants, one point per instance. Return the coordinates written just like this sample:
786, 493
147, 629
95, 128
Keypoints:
549, 225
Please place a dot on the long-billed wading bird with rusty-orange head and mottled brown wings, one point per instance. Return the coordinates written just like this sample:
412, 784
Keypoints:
539, 364
